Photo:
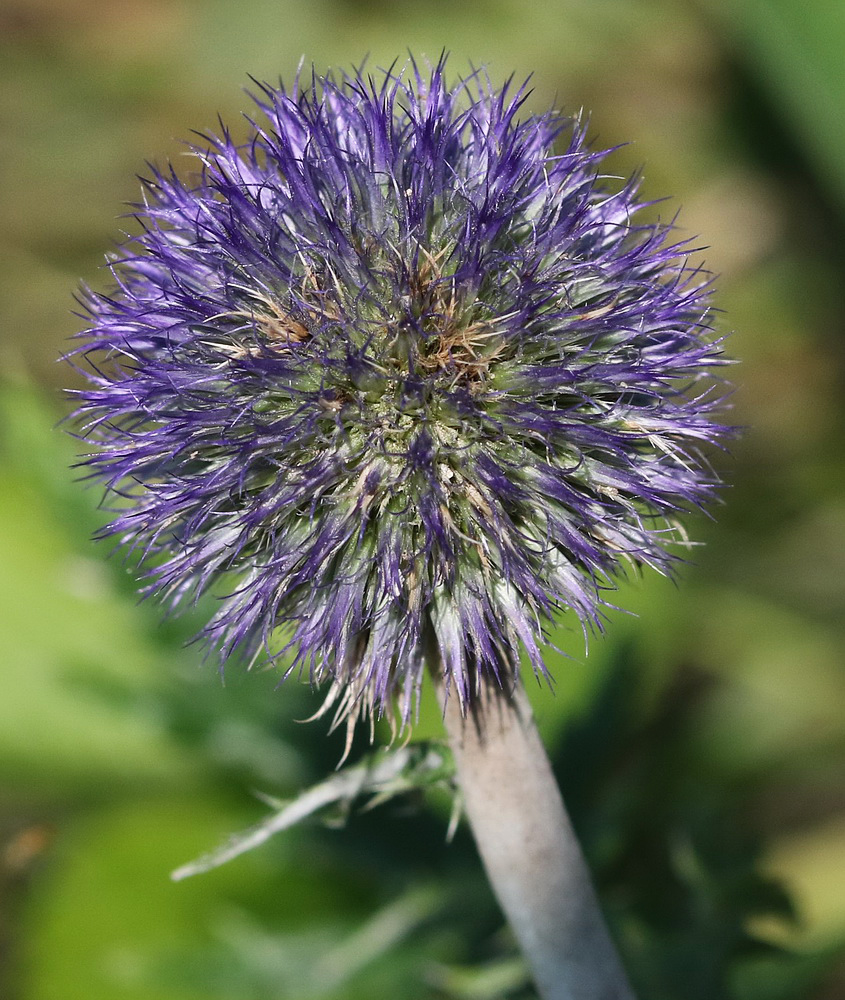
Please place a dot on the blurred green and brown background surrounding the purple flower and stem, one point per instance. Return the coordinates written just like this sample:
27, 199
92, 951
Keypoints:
701, 744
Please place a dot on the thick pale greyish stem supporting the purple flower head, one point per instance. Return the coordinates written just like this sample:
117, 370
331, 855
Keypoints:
530, 851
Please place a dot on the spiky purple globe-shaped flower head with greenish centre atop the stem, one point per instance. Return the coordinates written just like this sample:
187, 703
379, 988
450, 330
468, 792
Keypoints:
400, 378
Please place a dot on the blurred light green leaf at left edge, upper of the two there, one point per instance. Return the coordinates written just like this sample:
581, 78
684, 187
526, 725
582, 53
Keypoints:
74, 646
